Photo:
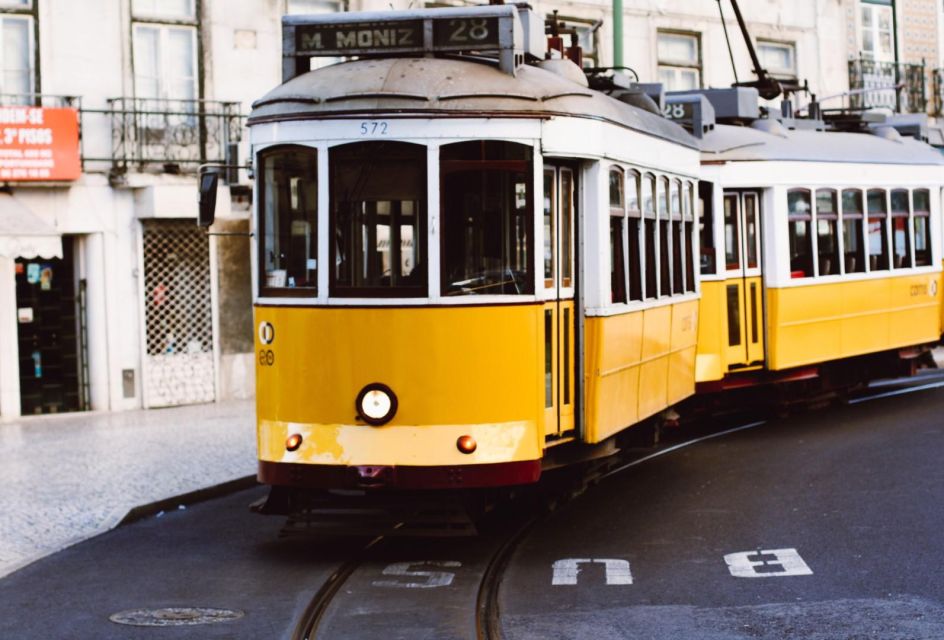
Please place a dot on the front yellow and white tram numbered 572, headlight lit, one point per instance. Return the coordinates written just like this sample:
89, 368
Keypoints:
444, 294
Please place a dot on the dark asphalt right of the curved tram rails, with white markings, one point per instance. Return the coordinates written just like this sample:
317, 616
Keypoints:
845, 504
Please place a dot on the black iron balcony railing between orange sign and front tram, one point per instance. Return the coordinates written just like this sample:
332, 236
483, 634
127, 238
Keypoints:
174, 136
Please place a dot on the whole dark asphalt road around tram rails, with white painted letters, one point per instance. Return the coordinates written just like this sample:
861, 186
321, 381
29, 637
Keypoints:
825, 525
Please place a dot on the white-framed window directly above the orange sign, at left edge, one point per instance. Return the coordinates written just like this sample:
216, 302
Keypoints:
17, 51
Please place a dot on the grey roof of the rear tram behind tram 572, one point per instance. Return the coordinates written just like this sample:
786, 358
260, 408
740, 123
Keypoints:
729, 143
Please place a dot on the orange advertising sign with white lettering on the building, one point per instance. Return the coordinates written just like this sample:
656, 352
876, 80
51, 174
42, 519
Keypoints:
38, 143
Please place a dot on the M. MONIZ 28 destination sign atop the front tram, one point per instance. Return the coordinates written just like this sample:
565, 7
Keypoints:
481, 29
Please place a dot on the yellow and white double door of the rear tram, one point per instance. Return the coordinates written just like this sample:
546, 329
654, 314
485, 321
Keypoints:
743, 284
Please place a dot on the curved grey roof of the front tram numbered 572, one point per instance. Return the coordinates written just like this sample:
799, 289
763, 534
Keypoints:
450, 86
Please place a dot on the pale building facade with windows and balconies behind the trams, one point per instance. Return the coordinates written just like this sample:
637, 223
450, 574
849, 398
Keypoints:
111, 298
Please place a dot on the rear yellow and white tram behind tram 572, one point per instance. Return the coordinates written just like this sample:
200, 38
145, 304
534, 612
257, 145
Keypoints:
821, 256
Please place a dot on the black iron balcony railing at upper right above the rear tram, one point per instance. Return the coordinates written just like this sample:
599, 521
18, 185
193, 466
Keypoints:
897, 86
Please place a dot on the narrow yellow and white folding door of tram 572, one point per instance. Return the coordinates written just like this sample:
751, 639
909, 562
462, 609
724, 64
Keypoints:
559, 280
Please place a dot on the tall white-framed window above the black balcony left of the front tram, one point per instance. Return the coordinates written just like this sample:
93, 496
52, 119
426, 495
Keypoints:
165, 49
